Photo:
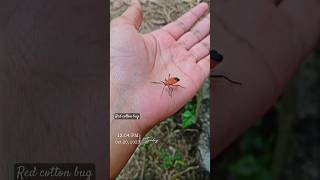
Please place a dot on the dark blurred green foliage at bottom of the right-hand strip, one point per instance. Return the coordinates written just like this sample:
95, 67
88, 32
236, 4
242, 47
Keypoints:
256, 161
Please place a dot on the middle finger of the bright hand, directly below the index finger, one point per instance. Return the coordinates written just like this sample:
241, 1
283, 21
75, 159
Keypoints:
196, 34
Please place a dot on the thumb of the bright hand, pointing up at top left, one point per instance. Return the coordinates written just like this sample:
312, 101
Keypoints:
133, 15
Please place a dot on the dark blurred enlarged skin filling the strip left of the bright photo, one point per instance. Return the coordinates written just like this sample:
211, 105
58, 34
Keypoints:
53, 88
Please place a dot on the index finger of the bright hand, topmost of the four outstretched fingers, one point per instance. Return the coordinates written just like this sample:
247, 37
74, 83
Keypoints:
186, 21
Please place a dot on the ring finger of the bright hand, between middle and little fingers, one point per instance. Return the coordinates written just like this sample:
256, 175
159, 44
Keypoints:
201, 50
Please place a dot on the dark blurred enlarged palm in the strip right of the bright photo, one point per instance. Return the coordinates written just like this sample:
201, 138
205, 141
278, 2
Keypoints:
263, 43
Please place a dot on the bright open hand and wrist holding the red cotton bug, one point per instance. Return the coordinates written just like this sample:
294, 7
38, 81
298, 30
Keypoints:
180, 48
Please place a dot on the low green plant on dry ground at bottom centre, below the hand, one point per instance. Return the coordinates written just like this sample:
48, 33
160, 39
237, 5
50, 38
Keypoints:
170, 161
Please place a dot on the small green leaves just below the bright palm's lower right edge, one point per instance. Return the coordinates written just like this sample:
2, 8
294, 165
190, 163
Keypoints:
189, 115
